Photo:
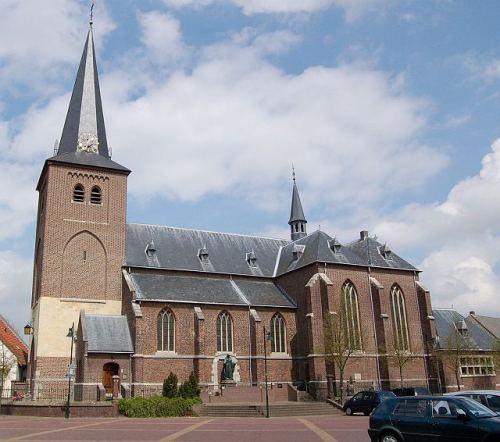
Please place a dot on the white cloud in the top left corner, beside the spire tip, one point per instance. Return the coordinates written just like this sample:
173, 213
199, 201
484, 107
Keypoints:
42, 38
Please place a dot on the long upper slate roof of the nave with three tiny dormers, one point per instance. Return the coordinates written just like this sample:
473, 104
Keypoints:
178, 249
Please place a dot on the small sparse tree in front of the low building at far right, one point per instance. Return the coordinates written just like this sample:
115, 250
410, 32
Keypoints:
455, 347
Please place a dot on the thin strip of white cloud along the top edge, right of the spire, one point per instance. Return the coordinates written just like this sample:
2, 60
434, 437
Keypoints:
353, 9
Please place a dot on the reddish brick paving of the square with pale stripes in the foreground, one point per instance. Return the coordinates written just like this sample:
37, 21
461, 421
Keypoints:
289, 429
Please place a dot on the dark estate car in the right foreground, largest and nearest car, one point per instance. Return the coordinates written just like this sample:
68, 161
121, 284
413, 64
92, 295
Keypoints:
433, 418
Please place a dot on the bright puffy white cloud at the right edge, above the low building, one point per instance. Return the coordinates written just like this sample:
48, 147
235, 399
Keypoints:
459, 238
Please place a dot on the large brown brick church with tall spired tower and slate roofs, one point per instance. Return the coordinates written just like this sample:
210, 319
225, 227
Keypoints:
147, 300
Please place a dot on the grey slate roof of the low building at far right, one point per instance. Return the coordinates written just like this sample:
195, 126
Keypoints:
446, 321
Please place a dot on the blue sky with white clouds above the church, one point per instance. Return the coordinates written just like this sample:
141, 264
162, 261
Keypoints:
388, 109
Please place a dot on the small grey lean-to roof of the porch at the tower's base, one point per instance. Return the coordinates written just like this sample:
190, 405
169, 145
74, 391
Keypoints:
107, 334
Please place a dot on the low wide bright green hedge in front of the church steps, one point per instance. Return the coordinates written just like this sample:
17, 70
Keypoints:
157, 406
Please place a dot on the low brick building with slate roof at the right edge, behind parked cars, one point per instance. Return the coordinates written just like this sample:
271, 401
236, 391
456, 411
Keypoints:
467, 350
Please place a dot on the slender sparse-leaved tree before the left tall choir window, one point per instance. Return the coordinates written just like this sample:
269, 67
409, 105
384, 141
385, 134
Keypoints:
339, 343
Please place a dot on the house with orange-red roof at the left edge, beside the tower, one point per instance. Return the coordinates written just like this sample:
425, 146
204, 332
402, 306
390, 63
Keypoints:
13, 358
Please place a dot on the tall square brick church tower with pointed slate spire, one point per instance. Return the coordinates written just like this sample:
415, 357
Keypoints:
81, 223
